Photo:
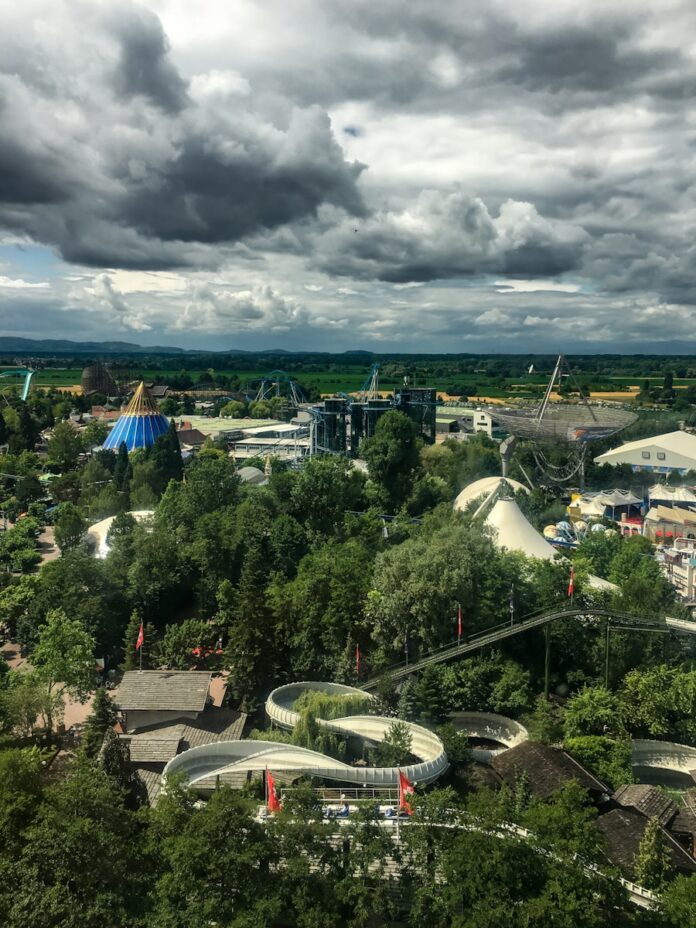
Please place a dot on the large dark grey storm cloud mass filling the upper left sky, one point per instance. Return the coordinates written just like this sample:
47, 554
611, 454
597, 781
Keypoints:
119, 163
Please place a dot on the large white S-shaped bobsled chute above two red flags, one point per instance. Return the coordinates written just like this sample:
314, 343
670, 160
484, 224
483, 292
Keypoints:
227, 758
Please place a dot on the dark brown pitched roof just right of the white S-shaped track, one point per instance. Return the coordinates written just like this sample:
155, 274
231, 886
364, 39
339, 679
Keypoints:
547, 768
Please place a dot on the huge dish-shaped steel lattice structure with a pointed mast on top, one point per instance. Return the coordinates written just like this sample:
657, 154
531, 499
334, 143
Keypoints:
570, 426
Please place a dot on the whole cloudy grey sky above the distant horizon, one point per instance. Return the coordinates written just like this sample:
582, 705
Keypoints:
440, 176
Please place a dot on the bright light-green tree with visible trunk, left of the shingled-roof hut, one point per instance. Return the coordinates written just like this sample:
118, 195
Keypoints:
64, 658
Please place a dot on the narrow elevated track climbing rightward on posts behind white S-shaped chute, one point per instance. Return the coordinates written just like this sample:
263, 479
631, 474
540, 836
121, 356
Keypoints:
490, 636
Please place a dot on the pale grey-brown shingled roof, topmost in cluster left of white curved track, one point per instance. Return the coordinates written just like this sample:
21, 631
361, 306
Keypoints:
163, 690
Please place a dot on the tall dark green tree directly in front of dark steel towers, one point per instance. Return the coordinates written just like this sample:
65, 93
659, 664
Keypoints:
393, 458
